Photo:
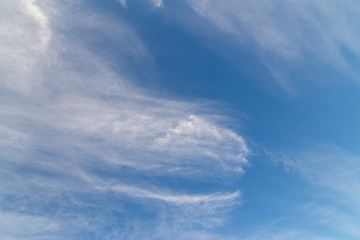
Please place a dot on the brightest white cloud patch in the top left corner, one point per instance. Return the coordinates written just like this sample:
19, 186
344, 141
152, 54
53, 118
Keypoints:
23, 40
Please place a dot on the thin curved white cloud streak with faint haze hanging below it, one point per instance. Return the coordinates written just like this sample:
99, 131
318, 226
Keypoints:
185, 210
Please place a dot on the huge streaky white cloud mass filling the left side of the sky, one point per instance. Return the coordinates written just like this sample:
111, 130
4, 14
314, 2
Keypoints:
77, 133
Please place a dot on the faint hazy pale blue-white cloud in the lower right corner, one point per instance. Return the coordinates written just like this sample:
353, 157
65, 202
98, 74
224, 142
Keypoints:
335, 174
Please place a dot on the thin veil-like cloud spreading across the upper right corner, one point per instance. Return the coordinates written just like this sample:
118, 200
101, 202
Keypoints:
290, 35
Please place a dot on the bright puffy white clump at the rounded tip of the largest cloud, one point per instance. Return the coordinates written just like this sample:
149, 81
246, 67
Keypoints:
195, 137
